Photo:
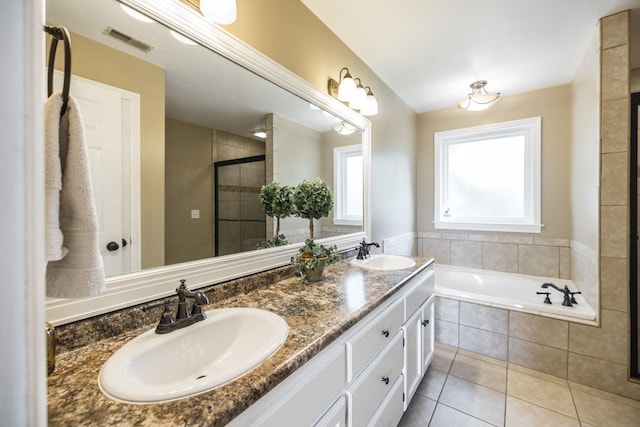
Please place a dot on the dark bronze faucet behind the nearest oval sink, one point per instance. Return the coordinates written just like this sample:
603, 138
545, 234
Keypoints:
185, 316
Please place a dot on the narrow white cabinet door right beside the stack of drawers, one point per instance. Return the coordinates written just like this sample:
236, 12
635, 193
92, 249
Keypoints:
413, 360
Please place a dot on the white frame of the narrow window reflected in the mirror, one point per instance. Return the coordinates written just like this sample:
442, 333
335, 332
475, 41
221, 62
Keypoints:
340, 154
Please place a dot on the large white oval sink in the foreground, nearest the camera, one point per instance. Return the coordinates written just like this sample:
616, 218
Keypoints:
227, 344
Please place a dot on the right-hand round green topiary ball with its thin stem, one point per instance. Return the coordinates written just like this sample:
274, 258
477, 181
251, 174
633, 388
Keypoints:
312, 199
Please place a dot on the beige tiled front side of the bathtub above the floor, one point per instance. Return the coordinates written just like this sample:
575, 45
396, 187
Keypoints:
553, 346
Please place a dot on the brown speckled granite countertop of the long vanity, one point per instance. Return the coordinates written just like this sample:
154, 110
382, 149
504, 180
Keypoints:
317, 314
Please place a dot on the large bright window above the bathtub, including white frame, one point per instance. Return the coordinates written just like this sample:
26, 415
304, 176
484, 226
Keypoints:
488, 177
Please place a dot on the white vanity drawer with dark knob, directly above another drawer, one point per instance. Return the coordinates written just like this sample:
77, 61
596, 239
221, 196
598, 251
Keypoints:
374, 336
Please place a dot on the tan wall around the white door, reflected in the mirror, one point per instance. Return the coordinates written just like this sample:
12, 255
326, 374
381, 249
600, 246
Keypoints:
100, 63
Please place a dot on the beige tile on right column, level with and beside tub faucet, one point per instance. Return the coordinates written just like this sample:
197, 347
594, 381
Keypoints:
614, 274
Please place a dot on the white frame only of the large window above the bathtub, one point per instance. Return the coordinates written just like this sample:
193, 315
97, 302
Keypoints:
530, 222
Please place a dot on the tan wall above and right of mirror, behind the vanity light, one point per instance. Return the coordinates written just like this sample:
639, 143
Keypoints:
287, 32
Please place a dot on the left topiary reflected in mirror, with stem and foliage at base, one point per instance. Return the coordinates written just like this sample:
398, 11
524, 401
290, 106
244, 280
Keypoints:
276, 202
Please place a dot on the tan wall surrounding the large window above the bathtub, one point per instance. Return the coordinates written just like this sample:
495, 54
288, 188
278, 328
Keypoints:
554, 106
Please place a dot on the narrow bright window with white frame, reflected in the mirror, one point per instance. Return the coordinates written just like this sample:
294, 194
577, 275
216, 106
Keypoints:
348, 185
